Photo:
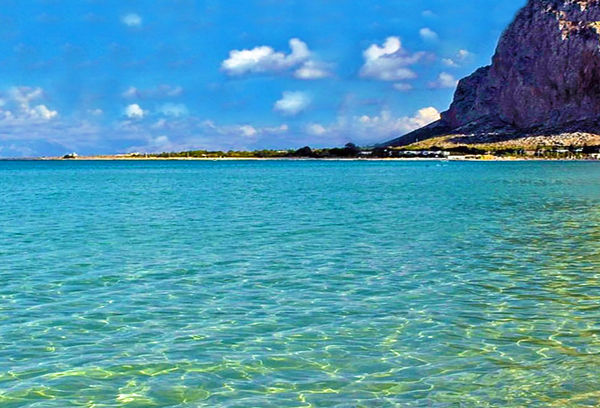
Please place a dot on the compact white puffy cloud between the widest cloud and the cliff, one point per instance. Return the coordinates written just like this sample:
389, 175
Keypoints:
390, 62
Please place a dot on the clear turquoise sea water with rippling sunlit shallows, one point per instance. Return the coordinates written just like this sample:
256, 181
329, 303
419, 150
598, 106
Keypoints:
299, 284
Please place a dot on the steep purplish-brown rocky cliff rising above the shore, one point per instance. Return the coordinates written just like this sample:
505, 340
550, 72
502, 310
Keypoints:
545, 74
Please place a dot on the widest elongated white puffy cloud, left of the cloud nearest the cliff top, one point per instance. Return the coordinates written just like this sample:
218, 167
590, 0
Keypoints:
265, 59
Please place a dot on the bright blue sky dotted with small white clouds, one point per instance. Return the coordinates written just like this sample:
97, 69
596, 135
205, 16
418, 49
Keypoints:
122, 76
